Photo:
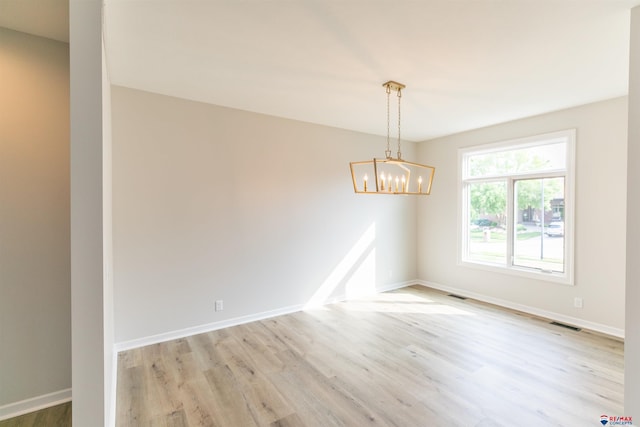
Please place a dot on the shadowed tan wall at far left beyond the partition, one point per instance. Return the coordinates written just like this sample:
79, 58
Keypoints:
35, 290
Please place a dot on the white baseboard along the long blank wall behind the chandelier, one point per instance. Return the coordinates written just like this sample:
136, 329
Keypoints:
182, 333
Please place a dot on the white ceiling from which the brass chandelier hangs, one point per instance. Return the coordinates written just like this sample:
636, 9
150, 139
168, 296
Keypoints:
466, 63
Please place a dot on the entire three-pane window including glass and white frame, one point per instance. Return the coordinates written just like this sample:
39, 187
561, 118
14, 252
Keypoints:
517, 206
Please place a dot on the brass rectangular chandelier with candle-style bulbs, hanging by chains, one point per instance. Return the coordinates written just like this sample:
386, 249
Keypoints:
391, 175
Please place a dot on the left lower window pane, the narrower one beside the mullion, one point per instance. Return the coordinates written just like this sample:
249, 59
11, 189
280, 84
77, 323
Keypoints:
487, 239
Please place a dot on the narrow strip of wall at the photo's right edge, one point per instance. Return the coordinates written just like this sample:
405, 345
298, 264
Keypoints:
632, 340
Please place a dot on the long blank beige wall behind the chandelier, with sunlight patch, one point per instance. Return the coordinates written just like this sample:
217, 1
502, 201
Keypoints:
212, 203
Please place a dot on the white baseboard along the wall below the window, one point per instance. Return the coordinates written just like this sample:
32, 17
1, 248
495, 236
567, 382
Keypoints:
598, 327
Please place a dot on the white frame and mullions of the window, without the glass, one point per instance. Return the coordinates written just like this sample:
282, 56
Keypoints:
567, 136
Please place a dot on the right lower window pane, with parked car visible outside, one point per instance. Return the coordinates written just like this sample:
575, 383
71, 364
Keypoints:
539, 224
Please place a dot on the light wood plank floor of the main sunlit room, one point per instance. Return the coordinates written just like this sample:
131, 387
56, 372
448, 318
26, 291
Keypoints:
412, 357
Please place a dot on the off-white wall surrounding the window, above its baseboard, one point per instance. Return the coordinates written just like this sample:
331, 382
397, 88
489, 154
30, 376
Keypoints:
601, 150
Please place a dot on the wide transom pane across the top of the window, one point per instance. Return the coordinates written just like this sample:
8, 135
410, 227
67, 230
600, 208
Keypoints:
539, 159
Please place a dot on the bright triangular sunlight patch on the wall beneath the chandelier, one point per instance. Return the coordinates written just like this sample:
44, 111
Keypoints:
356, 272
